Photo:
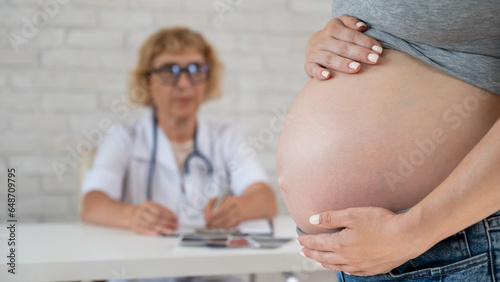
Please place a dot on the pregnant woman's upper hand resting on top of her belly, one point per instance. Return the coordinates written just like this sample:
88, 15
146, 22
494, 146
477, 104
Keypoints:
340, 46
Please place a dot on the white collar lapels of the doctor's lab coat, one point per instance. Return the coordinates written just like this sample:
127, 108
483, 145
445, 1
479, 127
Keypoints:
165, 155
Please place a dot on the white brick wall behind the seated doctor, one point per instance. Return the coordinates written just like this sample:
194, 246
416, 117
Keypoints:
67, 71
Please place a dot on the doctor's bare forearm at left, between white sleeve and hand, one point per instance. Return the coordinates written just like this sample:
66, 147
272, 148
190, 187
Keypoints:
99, 208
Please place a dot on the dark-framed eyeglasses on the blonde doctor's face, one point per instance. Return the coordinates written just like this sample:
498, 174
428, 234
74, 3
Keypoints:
169, 74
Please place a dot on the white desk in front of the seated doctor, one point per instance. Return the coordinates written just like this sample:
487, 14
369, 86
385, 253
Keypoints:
77, 251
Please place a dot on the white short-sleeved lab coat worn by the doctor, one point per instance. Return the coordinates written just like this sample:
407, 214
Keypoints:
121, 167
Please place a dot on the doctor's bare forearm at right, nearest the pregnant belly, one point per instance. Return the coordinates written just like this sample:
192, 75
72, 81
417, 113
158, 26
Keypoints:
259, 202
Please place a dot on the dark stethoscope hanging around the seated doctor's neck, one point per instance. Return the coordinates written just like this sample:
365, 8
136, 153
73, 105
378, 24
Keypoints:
196, 153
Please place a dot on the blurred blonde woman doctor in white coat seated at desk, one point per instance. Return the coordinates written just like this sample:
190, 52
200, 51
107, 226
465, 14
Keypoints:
168, 168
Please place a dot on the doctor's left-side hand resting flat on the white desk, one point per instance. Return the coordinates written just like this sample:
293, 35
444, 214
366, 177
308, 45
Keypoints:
153, 219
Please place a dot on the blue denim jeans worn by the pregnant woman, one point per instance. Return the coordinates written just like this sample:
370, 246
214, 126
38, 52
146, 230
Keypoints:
472, 254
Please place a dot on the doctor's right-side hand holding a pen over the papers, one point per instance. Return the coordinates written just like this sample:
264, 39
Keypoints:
227, 215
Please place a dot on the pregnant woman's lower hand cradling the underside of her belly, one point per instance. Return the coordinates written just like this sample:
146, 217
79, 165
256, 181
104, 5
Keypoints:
372, 241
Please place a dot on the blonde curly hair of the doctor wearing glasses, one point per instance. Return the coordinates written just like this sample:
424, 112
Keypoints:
174, 41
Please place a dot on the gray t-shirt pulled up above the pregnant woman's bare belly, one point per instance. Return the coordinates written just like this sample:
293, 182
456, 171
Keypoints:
459, 37
